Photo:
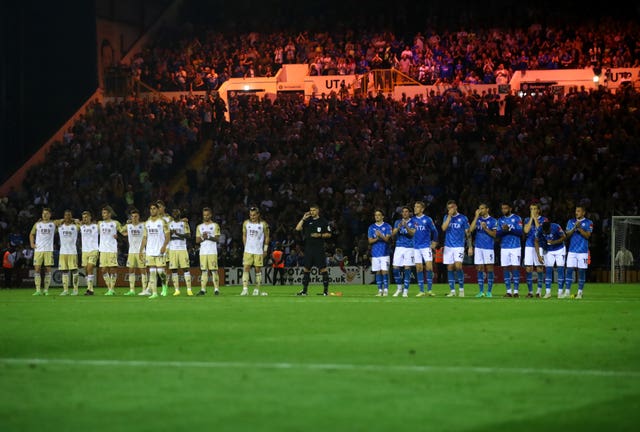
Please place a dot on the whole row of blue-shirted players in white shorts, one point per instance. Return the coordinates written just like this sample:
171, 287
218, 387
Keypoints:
416, 237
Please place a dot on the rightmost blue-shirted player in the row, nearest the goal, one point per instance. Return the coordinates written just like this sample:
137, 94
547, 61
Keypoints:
579, 231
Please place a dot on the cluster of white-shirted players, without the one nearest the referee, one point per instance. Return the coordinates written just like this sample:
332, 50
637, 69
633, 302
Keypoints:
154, 245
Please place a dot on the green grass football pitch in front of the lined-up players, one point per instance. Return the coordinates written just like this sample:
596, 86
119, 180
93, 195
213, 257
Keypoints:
350, 363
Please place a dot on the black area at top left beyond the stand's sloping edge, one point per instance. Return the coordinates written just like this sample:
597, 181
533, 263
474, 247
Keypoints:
48, 70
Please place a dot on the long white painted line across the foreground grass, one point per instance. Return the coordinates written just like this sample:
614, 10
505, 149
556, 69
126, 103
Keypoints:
322, 366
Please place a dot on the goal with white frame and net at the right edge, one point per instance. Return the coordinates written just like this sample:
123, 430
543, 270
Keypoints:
625, 248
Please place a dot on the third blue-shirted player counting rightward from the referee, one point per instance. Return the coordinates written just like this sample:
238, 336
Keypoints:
425, 239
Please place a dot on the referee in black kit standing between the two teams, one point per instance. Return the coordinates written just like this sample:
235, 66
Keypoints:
315, 229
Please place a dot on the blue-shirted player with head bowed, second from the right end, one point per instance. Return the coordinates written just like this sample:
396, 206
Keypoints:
551, 239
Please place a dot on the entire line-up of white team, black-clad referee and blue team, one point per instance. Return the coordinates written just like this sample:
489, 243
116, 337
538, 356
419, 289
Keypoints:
161, 242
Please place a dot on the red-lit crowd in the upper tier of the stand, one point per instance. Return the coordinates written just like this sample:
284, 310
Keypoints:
198, 58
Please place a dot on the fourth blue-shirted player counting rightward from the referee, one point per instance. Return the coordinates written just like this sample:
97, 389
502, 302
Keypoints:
456, 229
